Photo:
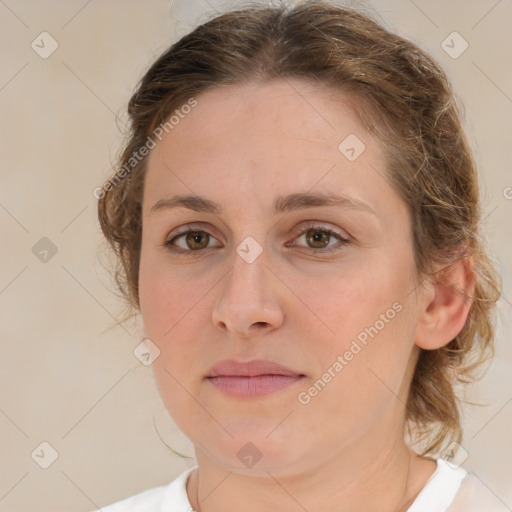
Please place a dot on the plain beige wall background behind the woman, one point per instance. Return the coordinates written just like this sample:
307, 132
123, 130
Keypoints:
68, 375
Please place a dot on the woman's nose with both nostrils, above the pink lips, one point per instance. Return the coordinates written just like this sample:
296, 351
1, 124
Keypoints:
248, 303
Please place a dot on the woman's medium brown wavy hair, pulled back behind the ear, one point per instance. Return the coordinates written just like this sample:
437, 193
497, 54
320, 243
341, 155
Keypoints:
404, 98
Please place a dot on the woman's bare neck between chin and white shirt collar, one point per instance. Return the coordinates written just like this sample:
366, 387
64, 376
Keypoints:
375, 478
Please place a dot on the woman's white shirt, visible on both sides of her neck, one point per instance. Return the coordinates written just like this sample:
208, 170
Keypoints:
450, 489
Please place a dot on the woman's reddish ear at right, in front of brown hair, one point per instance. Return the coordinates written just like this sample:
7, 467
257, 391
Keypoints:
446, 303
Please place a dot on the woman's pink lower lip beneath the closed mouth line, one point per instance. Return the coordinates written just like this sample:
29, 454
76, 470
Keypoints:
259, 385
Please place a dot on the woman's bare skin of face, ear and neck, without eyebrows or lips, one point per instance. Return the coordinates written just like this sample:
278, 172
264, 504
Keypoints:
241, 147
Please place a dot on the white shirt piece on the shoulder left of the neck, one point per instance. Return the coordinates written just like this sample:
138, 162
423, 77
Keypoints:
158, 499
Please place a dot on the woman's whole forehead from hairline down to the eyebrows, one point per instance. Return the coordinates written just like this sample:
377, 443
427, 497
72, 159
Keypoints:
254, 142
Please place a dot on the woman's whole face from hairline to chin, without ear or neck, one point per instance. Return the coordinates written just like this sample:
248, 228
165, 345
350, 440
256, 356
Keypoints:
300, 254
